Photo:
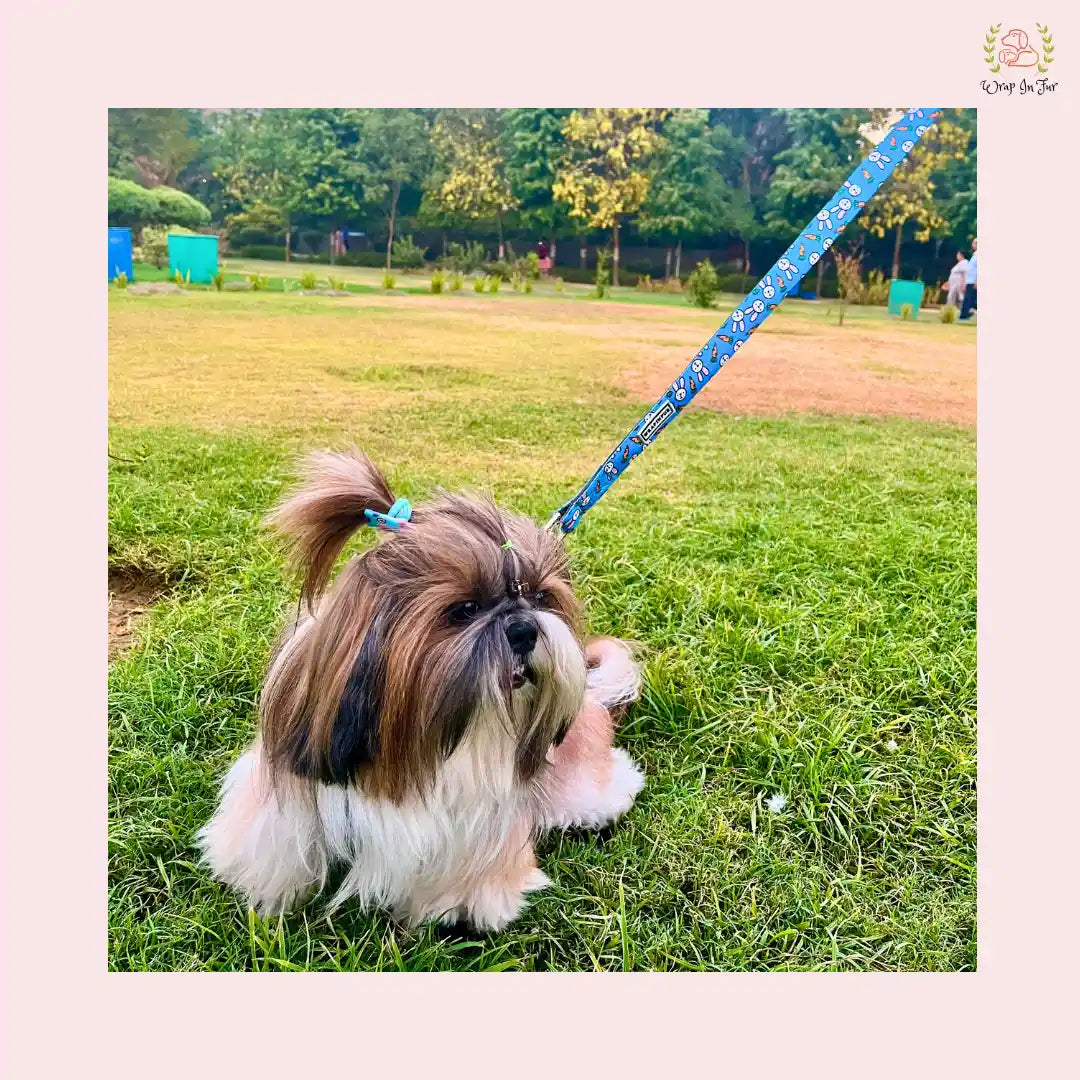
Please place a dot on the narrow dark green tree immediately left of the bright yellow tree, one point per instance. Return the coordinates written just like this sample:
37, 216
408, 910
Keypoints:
534, 145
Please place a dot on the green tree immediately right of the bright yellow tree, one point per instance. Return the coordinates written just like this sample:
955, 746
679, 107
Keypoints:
690, 195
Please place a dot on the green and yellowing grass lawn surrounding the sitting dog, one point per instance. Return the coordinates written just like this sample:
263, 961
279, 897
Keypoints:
803, 587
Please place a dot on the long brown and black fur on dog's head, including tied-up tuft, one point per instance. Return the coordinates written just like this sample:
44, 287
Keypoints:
400, 591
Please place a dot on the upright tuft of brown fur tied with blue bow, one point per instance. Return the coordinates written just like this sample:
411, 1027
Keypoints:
320, 516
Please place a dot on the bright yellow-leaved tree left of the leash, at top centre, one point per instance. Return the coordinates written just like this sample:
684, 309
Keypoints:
604, 173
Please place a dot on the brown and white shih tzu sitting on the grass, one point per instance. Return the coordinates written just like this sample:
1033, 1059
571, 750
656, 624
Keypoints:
431, 715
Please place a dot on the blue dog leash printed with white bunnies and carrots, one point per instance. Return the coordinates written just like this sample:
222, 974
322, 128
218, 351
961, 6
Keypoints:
781, 281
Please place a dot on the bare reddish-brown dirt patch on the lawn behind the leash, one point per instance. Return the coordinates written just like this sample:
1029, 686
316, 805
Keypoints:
834, 371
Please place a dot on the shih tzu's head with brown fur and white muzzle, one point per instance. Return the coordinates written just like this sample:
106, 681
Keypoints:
460, 628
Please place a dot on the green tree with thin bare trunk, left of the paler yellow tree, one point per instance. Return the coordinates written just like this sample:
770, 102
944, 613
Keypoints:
395, 152
